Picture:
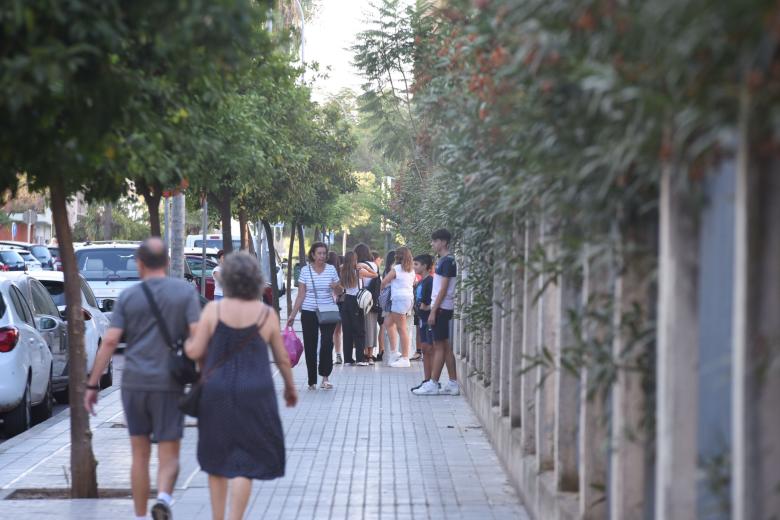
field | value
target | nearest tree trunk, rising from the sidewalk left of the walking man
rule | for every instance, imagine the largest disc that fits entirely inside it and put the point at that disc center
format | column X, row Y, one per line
column 83, row 466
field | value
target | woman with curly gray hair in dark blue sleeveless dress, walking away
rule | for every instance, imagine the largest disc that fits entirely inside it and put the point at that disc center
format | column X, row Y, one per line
column 240, row 435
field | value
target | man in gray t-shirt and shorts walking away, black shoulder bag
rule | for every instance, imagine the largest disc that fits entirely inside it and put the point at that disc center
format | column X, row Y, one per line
column 149, row 394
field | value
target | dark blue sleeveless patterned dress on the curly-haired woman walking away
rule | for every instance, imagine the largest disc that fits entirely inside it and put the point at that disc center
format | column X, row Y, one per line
column 239, row 429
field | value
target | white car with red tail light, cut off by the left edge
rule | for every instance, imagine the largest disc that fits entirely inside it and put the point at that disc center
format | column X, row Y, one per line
column 26, row 382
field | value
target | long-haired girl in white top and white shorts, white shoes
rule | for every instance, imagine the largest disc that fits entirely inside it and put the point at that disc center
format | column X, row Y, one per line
column 401, row 282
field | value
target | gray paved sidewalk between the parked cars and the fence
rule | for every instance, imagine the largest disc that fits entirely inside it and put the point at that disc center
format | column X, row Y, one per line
column 367, row 449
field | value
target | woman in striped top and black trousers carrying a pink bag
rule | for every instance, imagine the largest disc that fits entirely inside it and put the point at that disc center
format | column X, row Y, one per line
column 322, row 277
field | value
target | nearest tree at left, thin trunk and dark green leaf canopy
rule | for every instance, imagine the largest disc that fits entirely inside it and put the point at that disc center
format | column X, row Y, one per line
column 71, row 81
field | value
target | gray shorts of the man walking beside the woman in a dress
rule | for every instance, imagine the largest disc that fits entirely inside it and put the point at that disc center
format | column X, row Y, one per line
column 154, row 413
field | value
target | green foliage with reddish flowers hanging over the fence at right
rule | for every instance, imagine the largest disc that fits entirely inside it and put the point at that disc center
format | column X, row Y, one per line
column 565, row 113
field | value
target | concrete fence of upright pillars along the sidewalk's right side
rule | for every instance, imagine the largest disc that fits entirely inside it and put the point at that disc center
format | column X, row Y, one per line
column 695, row 433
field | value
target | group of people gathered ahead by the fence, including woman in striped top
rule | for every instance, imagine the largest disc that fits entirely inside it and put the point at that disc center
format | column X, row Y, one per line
column 420, row 288
